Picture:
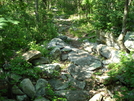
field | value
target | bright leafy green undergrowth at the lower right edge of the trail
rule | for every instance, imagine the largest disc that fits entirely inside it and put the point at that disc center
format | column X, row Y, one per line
column 123, row 72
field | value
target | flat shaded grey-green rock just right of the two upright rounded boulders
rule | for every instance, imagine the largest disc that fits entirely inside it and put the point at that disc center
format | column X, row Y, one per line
column 59, row 84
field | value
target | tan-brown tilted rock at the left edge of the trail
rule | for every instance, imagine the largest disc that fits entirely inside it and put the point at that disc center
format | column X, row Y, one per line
column 31, row 55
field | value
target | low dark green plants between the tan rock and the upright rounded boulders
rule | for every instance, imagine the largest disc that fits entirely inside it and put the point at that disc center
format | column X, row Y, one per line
column 21, row 67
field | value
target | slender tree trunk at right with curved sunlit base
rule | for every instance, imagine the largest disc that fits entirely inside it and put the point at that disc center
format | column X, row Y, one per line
column 120, row 39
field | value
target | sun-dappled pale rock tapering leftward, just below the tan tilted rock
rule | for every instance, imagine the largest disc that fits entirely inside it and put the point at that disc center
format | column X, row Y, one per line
column 50, row 68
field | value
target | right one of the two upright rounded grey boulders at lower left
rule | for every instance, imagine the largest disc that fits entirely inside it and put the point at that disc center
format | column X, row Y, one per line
column 41, row 87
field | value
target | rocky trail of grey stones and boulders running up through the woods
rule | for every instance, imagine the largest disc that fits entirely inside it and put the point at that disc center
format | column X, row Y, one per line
column 77, row 65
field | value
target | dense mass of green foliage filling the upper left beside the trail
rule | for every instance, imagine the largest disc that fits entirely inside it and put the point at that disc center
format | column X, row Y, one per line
column 19, row 27
